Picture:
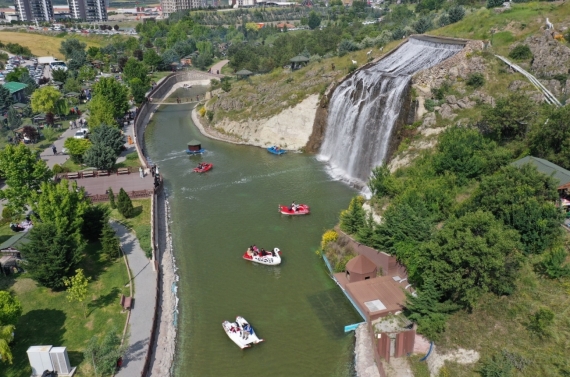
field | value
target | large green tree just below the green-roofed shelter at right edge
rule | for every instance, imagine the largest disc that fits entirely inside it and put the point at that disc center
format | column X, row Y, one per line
column 524, row 199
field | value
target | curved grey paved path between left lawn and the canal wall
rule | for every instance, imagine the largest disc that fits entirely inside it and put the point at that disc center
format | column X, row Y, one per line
column 143, row 303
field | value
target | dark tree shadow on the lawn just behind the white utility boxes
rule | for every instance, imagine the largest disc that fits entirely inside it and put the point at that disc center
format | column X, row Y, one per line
column 36, row 327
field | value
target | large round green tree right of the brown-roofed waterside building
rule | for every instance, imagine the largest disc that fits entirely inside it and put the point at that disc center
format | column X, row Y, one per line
column 470, row 256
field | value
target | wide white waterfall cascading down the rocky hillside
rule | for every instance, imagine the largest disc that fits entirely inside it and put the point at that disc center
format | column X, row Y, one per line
column 365, row 109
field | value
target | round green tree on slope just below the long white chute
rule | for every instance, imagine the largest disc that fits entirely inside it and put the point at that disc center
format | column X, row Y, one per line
column 512, row 116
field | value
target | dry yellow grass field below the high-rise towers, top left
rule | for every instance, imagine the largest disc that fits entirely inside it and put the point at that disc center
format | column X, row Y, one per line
column 41, row 45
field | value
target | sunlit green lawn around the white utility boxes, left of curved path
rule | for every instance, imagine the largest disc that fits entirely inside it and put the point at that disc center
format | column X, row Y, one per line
column 48, row 318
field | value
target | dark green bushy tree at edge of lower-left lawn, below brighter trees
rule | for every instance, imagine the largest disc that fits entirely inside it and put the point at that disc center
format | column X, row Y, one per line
column 50, row 255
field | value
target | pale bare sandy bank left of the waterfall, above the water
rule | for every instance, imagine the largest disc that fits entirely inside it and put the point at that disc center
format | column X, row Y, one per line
column 289, row 129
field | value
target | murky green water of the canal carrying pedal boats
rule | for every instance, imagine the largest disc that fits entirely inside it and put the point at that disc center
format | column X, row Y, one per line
column 295, row 307
